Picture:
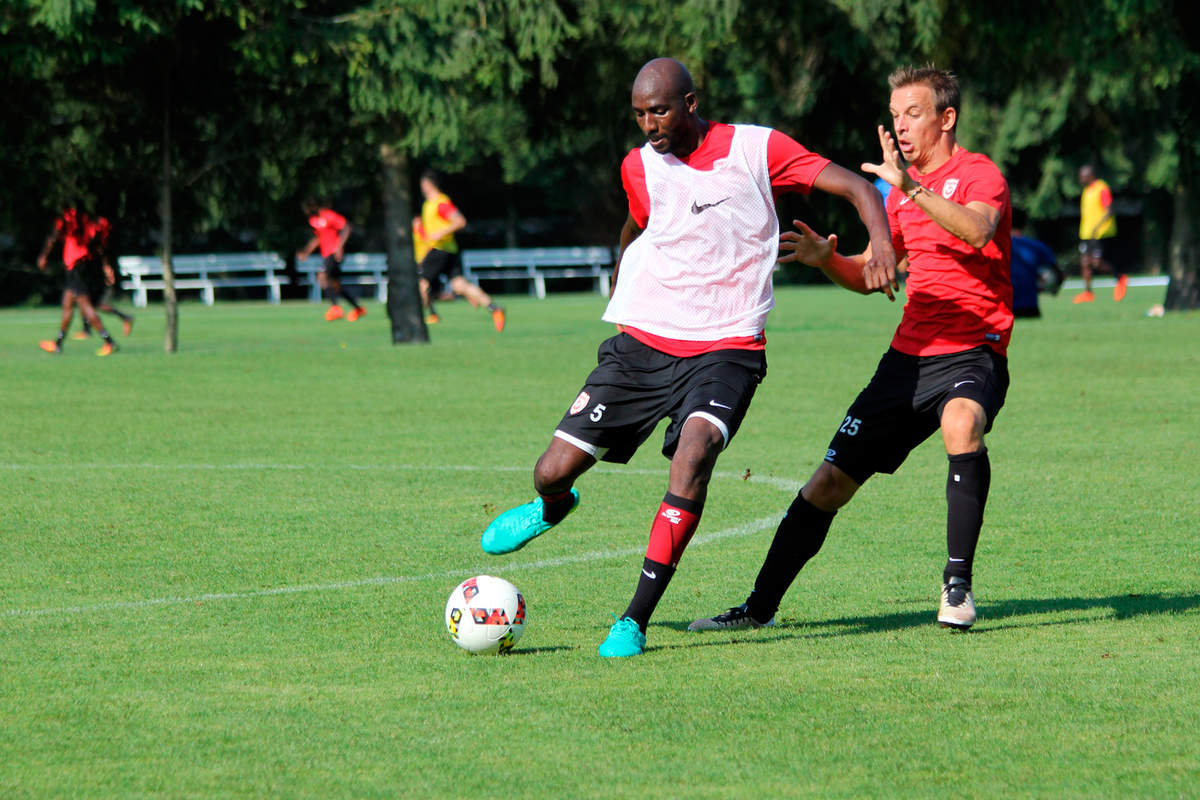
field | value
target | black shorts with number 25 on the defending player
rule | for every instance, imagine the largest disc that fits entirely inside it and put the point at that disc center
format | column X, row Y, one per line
column 903, row 406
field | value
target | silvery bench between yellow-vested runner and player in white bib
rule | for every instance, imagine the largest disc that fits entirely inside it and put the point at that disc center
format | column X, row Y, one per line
column 538, row 264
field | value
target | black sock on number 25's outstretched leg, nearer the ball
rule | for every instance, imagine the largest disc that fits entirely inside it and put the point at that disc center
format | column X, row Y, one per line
column 799, row 538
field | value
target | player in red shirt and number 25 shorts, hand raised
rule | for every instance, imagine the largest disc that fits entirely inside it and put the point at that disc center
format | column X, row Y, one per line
column 947, row 368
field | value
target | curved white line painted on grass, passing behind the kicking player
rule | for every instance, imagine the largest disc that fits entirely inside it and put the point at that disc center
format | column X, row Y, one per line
column 745, row 530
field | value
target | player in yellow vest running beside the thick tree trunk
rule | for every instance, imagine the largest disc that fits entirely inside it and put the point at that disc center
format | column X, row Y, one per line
column 440, row 221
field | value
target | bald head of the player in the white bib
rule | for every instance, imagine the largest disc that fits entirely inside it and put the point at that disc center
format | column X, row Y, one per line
column 665, row 107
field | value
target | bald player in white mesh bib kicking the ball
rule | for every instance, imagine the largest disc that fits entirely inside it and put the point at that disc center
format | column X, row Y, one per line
column 692, row 297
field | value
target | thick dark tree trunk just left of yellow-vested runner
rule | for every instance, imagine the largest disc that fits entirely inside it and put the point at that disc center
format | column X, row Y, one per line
column 404, row 294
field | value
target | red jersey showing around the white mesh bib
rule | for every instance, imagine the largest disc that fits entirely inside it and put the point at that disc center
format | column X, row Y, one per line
column 791, row 169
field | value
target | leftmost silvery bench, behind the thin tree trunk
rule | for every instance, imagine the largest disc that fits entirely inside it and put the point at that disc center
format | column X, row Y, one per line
column 207, row 273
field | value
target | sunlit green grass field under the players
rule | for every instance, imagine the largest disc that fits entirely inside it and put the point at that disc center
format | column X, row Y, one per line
column 223, row 573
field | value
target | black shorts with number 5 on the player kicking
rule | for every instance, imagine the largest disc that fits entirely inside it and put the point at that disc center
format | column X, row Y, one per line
column 635, row 387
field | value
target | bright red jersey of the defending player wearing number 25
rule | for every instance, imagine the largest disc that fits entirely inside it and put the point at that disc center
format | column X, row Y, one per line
column 959, row 297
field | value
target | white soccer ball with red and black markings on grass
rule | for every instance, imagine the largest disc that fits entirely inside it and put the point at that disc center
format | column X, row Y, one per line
column 485, row 615
